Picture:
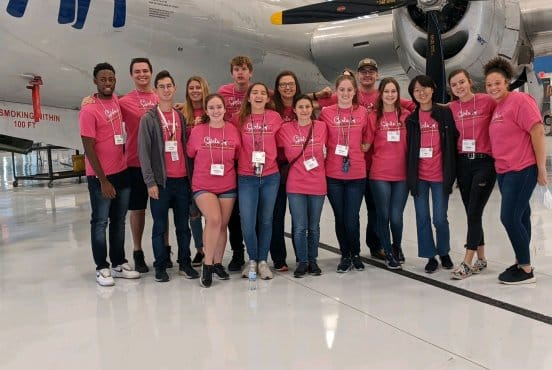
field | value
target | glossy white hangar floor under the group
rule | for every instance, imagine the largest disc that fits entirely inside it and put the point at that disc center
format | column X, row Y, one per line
column 54, row 316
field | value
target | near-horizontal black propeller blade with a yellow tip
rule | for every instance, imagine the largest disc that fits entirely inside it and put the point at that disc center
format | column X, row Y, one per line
column 335, row 11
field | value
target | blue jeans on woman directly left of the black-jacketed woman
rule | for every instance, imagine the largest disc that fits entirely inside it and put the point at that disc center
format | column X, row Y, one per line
column 390, row 198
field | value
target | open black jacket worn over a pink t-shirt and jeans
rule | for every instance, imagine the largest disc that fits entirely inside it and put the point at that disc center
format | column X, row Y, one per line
column 448, row 135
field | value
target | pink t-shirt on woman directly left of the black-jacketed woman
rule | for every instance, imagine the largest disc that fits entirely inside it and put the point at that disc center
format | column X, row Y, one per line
column 389, row 158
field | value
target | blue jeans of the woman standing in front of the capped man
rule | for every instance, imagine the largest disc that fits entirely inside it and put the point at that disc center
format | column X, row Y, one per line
column 345, row 197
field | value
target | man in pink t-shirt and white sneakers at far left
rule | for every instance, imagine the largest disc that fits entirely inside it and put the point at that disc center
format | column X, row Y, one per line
column 103, row 137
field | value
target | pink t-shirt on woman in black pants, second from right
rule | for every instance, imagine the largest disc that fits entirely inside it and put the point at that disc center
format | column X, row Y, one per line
column 472, row 120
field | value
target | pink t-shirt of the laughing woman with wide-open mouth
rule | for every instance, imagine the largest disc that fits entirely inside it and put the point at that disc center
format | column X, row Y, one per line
column 259, row 136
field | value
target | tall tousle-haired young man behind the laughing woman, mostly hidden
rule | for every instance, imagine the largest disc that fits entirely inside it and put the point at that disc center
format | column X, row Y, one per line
column 233, row 93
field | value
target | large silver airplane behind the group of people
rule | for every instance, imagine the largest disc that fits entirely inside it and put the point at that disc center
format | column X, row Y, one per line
column 57, row 43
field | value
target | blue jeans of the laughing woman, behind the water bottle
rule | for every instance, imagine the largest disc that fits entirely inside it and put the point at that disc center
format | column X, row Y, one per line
column 257, row 197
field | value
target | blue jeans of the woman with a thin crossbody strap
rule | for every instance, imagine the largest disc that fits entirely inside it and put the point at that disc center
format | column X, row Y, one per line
column 305, row 214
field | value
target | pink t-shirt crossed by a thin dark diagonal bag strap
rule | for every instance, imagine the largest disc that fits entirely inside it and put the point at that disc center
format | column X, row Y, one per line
column 291, row 138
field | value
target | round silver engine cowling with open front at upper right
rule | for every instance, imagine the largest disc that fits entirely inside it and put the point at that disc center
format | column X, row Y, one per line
column 470, row 38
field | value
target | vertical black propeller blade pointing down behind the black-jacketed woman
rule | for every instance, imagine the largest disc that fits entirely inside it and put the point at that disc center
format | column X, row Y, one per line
column 435, row 62
